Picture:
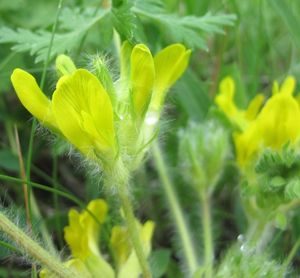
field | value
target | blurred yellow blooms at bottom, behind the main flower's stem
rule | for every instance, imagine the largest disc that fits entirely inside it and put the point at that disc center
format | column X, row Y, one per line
column 82, row 236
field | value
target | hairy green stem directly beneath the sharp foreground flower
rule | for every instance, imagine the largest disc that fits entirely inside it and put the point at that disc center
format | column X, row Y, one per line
column 122, row 184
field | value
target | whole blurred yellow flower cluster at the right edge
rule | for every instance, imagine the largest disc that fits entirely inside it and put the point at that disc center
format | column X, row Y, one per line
column 272, row 126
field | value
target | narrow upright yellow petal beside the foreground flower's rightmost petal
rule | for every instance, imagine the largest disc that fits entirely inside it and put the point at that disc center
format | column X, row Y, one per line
column 142, row 78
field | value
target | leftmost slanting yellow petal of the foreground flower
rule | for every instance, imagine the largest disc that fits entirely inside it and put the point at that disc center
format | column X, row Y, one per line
column 32, row 97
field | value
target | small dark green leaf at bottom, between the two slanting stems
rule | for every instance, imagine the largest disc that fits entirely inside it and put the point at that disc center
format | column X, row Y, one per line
column 159, row 261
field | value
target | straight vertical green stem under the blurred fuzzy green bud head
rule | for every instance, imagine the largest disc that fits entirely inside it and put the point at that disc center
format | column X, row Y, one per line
column 207, row 233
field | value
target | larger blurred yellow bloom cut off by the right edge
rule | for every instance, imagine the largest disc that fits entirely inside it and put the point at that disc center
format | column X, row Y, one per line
column 277, row 124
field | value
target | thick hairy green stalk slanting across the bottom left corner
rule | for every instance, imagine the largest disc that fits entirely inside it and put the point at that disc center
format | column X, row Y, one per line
column 34, row 249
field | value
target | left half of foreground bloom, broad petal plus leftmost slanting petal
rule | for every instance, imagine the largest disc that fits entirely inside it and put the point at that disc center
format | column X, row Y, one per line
column 80, row 109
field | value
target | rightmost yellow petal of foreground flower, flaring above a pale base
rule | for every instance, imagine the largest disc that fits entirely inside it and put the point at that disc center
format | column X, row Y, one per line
column 170, row 63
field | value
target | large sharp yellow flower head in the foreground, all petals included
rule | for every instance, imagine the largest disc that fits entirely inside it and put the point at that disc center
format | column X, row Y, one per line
column 99, row 126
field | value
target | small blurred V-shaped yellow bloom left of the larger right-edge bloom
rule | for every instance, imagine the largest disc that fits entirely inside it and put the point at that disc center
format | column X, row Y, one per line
column 225, row 101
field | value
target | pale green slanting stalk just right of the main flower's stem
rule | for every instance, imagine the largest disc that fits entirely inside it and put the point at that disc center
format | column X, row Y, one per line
column 185, row 237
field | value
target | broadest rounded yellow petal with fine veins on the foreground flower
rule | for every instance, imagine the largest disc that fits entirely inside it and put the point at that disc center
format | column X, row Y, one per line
column 81, row 107
